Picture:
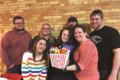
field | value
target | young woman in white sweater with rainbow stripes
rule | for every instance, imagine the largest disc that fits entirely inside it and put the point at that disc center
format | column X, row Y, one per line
column 35, row 62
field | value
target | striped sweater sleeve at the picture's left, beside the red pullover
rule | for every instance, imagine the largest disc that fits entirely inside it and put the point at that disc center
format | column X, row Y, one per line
column 25, row 67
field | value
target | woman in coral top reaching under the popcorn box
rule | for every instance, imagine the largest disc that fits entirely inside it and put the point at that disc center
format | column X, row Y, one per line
column 85, row 56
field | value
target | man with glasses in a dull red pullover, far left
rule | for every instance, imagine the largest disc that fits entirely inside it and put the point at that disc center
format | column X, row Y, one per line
column 13, row 44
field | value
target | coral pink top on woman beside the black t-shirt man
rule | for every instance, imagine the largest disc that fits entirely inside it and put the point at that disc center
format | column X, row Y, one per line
column 87, row 58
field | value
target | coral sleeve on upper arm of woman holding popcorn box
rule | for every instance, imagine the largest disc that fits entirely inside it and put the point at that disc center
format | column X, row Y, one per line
column 86, row 53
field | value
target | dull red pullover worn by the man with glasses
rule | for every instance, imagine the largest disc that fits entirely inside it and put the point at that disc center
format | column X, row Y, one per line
column 13, row 45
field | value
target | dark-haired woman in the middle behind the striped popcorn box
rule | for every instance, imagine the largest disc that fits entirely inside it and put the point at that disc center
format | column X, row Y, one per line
column 63, row 41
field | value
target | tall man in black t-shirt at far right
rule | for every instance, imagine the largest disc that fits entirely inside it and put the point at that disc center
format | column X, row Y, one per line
column 107, row 41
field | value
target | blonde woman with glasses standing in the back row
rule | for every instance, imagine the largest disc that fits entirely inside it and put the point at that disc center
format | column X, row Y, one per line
column 44, row 33
